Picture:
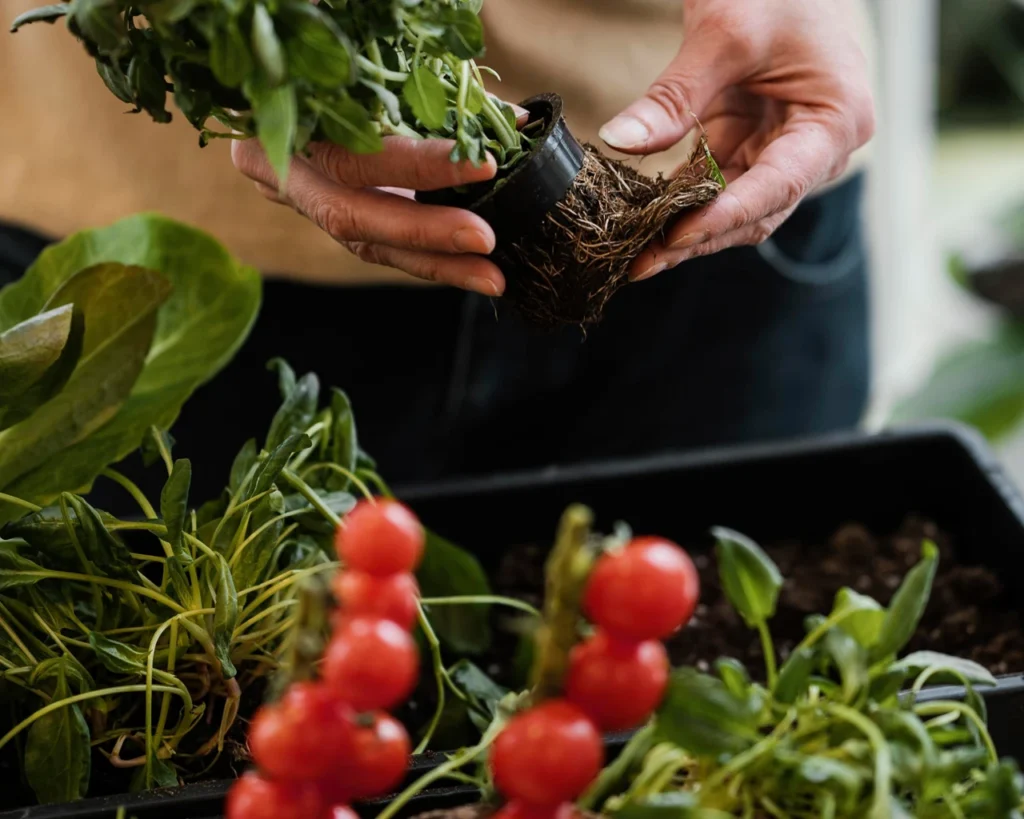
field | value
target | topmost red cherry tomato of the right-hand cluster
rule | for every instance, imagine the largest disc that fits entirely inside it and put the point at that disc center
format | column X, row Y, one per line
column 646, row 592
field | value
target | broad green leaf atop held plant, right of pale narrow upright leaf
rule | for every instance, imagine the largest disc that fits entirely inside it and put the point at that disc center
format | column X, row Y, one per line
column 318, row 51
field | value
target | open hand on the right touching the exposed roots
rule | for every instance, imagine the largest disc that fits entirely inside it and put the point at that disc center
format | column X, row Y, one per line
column 782, row 89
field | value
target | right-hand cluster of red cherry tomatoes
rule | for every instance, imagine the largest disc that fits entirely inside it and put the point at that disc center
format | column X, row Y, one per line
column 546, row 757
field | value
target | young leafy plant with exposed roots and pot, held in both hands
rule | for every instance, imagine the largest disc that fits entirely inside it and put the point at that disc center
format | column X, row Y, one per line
column 353, row 72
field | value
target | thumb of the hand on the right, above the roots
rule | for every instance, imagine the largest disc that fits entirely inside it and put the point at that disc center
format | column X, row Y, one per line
column 685, row 91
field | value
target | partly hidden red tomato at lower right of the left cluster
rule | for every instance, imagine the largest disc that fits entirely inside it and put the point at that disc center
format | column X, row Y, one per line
column 377, row 764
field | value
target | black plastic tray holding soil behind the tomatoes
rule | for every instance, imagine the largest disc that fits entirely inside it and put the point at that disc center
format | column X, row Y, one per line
column 801, row 490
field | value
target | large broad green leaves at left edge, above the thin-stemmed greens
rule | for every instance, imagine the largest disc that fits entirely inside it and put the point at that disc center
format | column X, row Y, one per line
column 106, row 336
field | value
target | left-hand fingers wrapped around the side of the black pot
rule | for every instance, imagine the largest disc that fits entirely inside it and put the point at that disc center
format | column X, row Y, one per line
column 366, row 204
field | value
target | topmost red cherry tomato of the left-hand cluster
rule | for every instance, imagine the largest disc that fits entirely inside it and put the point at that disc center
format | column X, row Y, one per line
column 380, row 538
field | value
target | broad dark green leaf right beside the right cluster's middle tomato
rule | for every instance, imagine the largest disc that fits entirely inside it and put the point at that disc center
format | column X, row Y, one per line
column 703, row 717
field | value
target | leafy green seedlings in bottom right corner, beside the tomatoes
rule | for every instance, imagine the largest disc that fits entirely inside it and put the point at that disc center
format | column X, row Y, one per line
column 831, row 739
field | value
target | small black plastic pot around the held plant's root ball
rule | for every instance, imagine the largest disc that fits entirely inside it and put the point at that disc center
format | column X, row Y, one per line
column 518, row 204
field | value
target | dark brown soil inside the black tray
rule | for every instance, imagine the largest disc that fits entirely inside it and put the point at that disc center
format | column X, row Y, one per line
column 969, row 615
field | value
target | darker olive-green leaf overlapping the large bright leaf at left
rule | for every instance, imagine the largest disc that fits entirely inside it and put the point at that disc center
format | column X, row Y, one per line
column 120, row 307
